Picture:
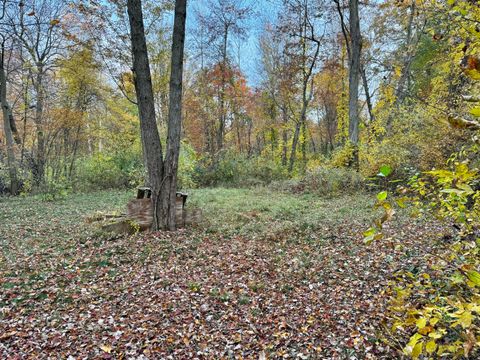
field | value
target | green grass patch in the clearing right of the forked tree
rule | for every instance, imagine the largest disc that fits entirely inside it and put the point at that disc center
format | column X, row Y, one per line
column 259, row 211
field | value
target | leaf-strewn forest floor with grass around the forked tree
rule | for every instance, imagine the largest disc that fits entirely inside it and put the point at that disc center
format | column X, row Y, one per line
column 266, row 275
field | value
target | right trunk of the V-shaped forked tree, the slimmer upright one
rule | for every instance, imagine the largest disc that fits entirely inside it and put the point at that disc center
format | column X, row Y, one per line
column 174, row 115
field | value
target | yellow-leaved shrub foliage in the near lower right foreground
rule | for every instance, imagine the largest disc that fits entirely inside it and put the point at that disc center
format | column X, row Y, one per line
column 439, row 310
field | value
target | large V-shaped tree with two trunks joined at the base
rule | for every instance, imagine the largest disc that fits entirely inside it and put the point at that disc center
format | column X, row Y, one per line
column 162, row 175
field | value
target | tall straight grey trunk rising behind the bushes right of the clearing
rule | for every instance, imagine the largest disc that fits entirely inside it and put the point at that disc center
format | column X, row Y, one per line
column 354, row 75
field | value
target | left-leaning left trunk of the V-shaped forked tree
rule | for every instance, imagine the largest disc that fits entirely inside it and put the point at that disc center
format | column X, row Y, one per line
column 152, row 147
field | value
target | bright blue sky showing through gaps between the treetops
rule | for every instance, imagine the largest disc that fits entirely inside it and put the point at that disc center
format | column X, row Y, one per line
column 245, row 52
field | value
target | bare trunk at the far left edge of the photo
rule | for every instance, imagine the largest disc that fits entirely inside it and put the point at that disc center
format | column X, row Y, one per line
column 12, row 168
